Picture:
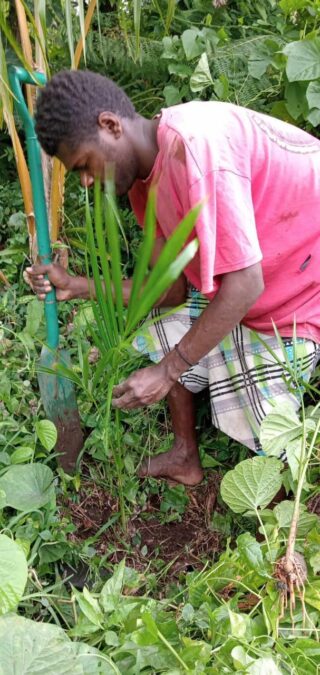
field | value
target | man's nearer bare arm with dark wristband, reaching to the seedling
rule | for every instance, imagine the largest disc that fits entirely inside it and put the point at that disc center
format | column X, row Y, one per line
column 238, row 292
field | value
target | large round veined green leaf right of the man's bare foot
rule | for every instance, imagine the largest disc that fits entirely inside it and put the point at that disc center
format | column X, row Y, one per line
column 252, row 484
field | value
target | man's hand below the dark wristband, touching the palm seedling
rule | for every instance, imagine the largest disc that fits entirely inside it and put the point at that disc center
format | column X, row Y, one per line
column 143, row 387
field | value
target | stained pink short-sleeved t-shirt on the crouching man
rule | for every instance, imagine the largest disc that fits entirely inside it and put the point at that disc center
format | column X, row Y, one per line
column 259, row 180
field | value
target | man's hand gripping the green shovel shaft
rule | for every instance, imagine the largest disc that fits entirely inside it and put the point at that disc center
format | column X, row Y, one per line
column 57, row 276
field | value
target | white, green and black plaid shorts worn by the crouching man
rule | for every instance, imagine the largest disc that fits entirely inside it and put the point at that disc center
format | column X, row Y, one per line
column 244, row 379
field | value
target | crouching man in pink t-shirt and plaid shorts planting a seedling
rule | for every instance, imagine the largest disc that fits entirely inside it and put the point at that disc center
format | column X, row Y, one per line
column 259, row 256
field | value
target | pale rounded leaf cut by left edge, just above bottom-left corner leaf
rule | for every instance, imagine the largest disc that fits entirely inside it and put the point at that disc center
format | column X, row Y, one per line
column 13, row 574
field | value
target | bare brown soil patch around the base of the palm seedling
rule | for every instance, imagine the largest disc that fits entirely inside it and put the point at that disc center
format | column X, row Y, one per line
column 181, row 545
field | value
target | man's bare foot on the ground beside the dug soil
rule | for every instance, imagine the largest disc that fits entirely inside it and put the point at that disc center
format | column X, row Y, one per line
column 179, row 464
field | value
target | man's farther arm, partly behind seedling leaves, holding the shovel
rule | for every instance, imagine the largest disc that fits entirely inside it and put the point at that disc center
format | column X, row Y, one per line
column 70, row 288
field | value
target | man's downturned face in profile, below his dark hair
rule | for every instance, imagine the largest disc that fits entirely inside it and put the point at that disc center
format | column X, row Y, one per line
column 99, row 156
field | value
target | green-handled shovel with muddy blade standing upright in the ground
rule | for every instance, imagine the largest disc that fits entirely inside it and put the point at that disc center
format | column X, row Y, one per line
column 57, row 392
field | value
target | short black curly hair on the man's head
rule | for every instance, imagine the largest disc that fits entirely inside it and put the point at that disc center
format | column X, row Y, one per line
column 68, row 107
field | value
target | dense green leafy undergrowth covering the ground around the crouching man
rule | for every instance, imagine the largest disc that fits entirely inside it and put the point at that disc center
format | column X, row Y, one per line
column 199, row 579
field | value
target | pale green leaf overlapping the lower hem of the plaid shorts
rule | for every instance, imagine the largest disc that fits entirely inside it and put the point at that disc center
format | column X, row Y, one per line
column 279, row 427
